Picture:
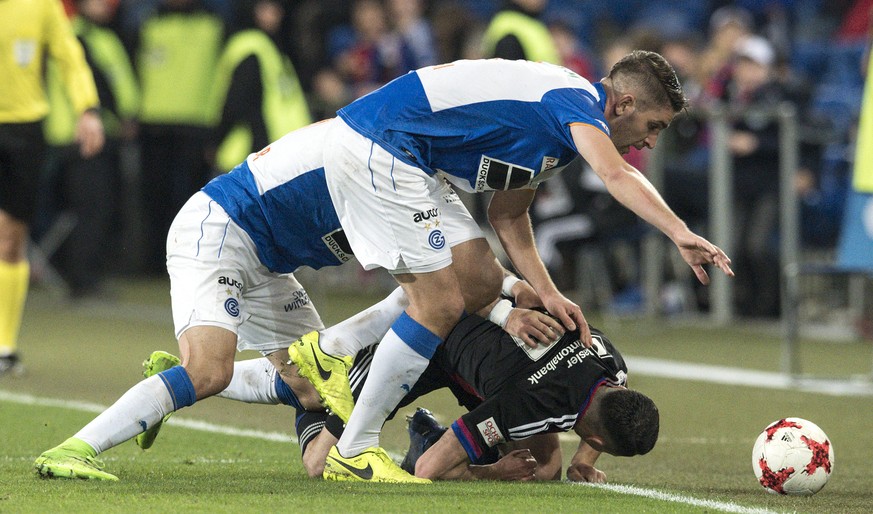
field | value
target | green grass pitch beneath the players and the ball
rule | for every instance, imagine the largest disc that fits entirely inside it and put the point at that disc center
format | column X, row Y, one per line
column 90, row 354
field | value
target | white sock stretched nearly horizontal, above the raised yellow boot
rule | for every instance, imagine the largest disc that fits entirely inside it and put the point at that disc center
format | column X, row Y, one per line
column 365, row 328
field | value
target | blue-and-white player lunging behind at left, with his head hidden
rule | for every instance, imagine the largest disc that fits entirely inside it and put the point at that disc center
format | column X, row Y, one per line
column 231, row 252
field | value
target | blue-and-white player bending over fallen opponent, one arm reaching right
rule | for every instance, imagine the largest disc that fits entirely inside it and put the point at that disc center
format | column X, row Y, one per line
column 490, row 125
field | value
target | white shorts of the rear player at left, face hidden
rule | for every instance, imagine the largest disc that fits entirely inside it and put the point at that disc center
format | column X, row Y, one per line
column 217, row 280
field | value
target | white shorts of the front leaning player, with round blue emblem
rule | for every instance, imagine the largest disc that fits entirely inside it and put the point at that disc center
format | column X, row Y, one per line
column 395, row 215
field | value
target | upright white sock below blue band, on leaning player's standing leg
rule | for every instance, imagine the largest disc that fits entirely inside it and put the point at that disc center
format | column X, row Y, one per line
column 395, row 369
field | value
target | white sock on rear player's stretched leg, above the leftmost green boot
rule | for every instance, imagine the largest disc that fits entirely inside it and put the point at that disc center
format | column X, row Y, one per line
column 140, row 407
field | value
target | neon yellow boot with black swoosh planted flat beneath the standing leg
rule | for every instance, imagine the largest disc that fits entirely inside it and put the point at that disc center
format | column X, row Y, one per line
column 371, row 465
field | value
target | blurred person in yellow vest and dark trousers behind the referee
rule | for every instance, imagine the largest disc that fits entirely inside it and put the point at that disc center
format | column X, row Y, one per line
column 87, row 187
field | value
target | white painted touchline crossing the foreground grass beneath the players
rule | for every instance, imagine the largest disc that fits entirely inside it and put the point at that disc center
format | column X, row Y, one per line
column 203, row 426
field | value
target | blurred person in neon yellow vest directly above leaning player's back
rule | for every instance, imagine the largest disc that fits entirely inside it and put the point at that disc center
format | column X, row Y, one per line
column 516, row 32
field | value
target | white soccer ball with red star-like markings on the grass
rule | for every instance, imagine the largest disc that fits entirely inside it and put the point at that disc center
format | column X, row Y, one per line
column 793, row 456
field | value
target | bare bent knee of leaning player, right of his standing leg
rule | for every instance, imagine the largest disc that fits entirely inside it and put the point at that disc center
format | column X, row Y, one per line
column 479, row 274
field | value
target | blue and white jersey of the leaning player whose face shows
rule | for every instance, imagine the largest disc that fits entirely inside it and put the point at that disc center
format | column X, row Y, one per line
column 487, row 124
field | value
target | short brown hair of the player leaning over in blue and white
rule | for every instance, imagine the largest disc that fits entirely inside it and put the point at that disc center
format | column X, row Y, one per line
column 651, row 75
